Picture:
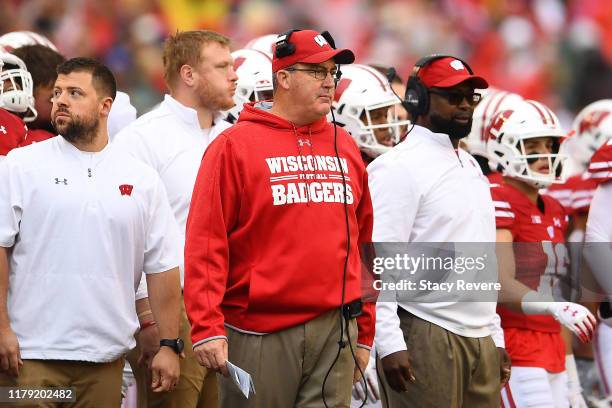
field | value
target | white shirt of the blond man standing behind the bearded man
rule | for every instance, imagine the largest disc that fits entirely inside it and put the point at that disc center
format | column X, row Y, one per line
column 170, row 140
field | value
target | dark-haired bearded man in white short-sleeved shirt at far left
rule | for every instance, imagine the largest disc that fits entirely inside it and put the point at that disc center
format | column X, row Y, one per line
column 79, row 223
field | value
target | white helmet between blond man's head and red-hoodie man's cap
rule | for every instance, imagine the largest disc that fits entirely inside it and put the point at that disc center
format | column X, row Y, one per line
column 254, row 71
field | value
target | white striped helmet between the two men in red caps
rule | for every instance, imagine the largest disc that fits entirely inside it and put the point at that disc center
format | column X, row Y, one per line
column 361, row 90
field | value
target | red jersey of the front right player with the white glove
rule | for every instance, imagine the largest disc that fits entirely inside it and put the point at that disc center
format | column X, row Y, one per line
column 541, row 259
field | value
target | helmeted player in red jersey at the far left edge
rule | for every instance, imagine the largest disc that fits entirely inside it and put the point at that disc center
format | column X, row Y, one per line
column 15, row 100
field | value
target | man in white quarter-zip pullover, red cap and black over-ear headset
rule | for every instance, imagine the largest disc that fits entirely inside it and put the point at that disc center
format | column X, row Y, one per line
column 427, row 190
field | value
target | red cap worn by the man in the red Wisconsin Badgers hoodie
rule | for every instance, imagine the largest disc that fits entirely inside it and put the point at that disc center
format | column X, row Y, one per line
column 312, row 48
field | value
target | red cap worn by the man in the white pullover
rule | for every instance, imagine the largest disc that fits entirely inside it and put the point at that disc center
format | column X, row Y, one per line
column 448, row 72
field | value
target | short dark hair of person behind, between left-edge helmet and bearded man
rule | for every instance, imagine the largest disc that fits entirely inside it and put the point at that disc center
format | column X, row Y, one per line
column 41, row 62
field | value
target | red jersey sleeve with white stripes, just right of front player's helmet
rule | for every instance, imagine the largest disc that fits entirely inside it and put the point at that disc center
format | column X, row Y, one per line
column 575, row 194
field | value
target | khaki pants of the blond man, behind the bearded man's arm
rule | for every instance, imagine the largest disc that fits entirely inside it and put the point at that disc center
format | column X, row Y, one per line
column 197, row 387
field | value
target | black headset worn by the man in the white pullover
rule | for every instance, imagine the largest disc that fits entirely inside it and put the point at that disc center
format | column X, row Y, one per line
column 416, row 98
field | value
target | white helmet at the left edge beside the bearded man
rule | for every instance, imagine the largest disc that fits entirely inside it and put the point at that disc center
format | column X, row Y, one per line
column 16, row 87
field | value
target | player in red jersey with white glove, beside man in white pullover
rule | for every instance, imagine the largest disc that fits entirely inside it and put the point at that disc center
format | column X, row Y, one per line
column 524, row 145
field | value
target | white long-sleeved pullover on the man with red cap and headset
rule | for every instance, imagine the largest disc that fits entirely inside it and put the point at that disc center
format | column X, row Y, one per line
column 425, row 191
